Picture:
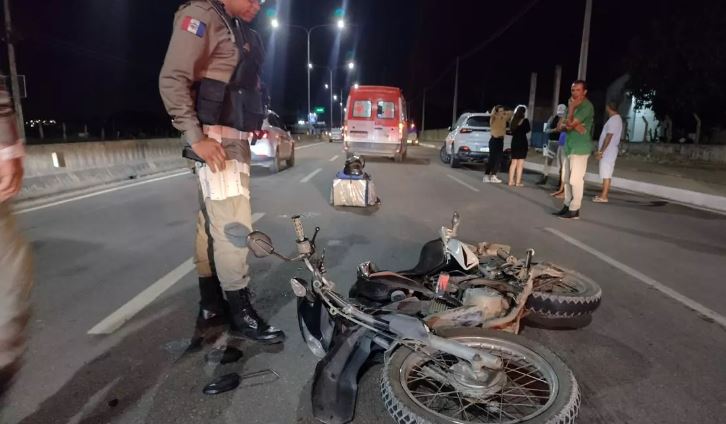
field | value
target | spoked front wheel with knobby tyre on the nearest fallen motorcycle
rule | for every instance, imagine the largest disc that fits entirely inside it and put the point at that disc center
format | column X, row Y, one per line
column 536, row 388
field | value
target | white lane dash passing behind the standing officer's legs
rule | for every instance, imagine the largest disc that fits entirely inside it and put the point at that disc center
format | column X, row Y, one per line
column 123, row 314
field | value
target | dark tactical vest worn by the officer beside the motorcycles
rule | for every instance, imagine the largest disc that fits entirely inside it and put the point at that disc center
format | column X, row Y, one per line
column 240, row 103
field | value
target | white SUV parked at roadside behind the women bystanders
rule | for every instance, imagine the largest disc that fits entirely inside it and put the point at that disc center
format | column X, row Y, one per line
column 468, row 141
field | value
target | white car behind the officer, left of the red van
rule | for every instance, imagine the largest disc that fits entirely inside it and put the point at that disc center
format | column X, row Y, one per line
column 274, row 146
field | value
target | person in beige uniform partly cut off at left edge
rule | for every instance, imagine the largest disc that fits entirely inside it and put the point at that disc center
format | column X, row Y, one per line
column 15, row 276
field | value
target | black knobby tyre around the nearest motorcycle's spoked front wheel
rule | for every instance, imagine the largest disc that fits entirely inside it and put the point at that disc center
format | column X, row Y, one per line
column 402, row 414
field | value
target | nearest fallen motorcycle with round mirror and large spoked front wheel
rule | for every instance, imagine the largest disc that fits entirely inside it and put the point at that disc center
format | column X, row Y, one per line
column 454, row 375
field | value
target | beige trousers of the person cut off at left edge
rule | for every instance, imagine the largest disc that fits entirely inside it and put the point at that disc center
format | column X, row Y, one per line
column 15, row 284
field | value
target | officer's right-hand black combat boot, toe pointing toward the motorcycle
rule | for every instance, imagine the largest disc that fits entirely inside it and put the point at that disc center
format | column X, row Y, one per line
column 246, row 323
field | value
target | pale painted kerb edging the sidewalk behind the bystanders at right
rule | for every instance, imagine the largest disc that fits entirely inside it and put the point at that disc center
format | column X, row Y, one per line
column 691, row 198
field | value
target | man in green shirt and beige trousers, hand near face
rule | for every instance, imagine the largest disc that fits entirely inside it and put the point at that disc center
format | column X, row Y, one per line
column 578, row 147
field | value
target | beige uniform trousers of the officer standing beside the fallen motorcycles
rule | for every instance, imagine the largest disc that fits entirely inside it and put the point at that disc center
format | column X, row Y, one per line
column 223, row 225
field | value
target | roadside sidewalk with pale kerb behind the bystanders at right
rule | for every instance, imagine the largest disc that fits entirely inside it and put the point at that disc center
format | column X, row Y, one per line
column 702, row 185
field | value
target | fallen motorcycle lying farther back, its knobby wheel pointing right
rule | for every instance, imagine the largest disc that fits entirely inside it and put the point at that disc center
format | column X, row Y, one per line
column 460, row 284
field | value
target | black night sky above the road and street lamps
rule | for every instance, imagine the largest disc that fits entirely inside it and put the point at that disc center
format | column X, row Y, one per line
column 88, row 59
